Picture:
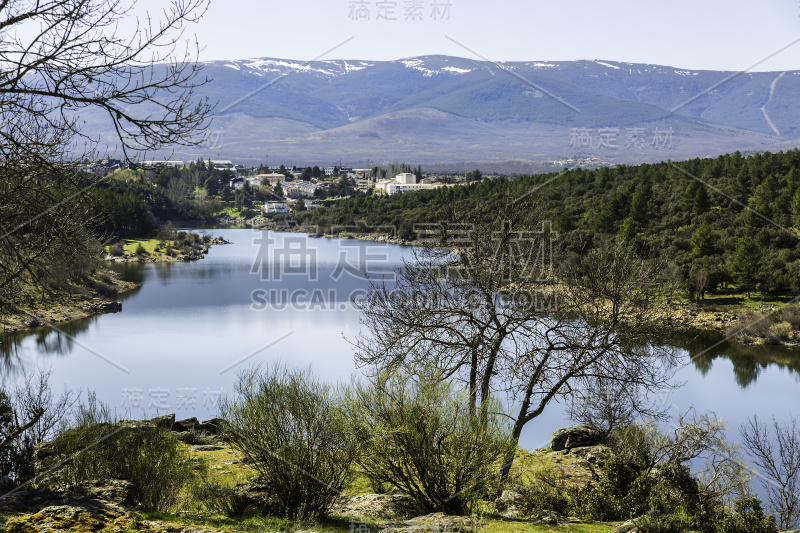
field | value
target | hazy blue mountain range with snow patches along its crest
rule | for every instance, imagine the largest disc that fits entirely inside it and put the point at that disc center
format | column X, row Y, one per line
column 452, row 112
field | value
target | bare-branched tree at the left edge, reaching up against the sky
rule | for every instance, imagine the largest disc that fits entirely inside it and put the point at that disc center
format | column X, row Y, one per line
column 60, row 59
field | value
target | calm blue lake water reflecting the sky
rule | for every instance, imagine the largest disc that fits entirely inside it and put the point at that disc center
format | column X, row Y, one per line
column 180, row 338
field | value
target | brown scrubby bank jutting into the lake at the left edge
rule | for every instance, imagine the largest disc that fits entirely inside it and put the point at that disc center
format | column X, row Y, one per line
column 95, row 297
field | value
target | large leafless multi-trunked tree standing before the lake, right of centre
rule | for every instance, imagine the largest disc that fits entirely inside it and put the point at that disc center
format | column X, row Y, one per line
column 484, row 302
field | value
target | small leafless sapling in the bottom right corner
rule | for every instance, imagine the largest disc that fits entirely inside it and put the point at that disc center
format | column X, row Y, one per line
column 775, row 449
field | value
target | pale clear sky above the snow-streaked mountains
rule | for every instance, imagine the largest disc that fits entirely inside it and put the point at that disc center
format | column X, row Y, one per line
column 698, row 34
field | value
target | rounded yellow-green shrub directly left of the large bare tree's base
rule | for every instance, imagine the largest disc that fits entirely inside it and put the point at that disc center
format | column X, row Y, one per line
column 419, row 435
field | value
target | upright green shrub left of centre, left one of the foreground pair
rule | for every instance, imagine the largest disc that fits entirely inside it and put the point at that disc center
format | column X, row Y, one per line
column 291, row 427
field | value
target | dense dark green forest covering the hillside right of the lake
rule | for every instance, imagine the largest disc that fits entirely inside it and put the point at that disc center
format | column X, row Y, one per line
column 725, row 223
